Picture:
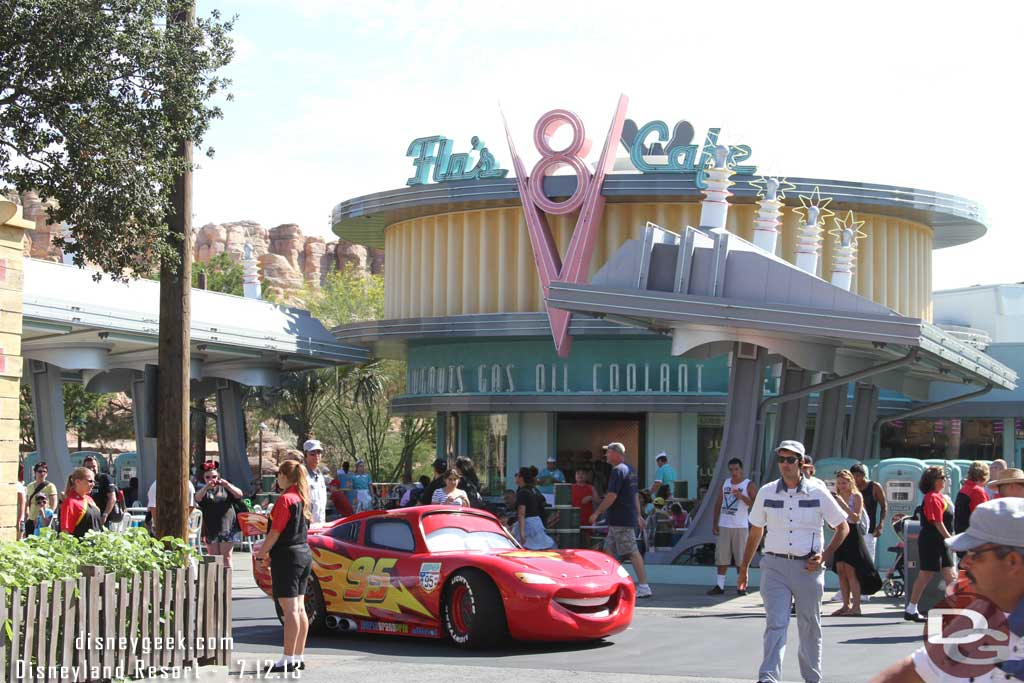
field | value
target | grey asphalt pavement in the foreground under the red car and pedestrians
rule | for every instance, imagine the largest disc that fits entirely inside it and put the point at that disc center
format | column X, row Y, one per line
column 680, row 634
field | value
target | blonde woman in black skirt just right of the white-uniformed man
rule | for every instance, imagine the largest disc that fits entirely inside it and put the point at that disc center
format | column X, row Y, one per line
column 852, row 563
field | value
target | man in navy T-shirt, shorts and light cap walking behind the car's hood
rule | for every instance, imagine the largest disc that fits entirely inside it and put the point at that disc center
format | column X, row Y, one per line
column 623, row 506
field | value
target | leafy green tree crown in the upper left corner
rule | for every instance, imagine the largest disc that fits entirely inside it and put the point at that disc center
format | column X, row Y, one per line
column 86, row 91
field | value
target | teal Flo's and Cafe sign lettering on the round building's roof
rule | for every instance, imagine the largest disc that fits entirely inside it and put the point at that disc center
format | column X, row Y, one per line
column 652, row 151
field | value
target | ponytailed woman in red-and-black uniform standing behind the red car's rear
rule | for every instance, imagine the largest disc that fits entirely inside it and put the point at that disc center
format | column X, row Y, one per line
column 286, row 551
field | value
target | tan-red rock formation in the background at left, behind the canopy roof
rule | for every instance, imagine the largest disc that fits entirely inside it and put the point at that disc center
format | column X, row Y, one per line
column 288, row 260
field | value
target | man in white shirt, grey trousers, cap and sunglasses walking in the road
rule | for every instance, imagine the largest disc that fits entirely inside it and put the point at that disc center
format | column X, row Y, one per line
column 793, row 565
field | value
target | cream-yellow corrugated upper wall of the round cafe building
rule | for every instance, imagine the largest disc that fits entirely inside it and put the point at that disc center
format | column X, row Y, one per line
column 482, row 262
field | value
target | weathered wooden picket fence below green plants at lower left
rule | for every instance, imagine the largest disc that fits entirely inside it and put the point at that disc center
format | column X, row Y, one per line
column 102, row 627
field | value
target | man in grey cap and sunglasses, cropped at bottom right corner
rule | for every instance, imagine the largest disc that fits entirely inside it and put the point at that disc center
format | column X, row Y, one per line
column 994, row 563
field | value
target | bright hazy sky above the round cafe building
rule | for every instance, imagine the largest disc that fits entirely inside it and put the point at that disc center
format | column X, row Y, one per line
column 329, row 94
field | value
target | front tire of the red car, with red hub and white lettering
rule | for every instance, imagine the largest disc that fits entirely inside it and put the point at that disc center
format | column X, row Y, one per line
column 473, row 612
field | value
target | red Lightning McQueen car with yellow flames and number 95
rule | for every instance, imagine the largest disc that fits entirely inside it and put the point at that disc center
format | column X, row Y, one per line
column 436, row 572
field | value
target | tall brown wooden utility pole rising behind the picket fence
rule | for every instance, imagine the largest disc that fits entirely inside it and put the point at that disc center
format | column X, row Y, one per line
column 174, row 355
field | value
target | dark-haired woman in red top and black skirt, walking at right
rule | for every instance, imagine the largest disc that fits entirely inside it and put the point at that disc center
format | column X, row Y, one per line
column 933, row 553
